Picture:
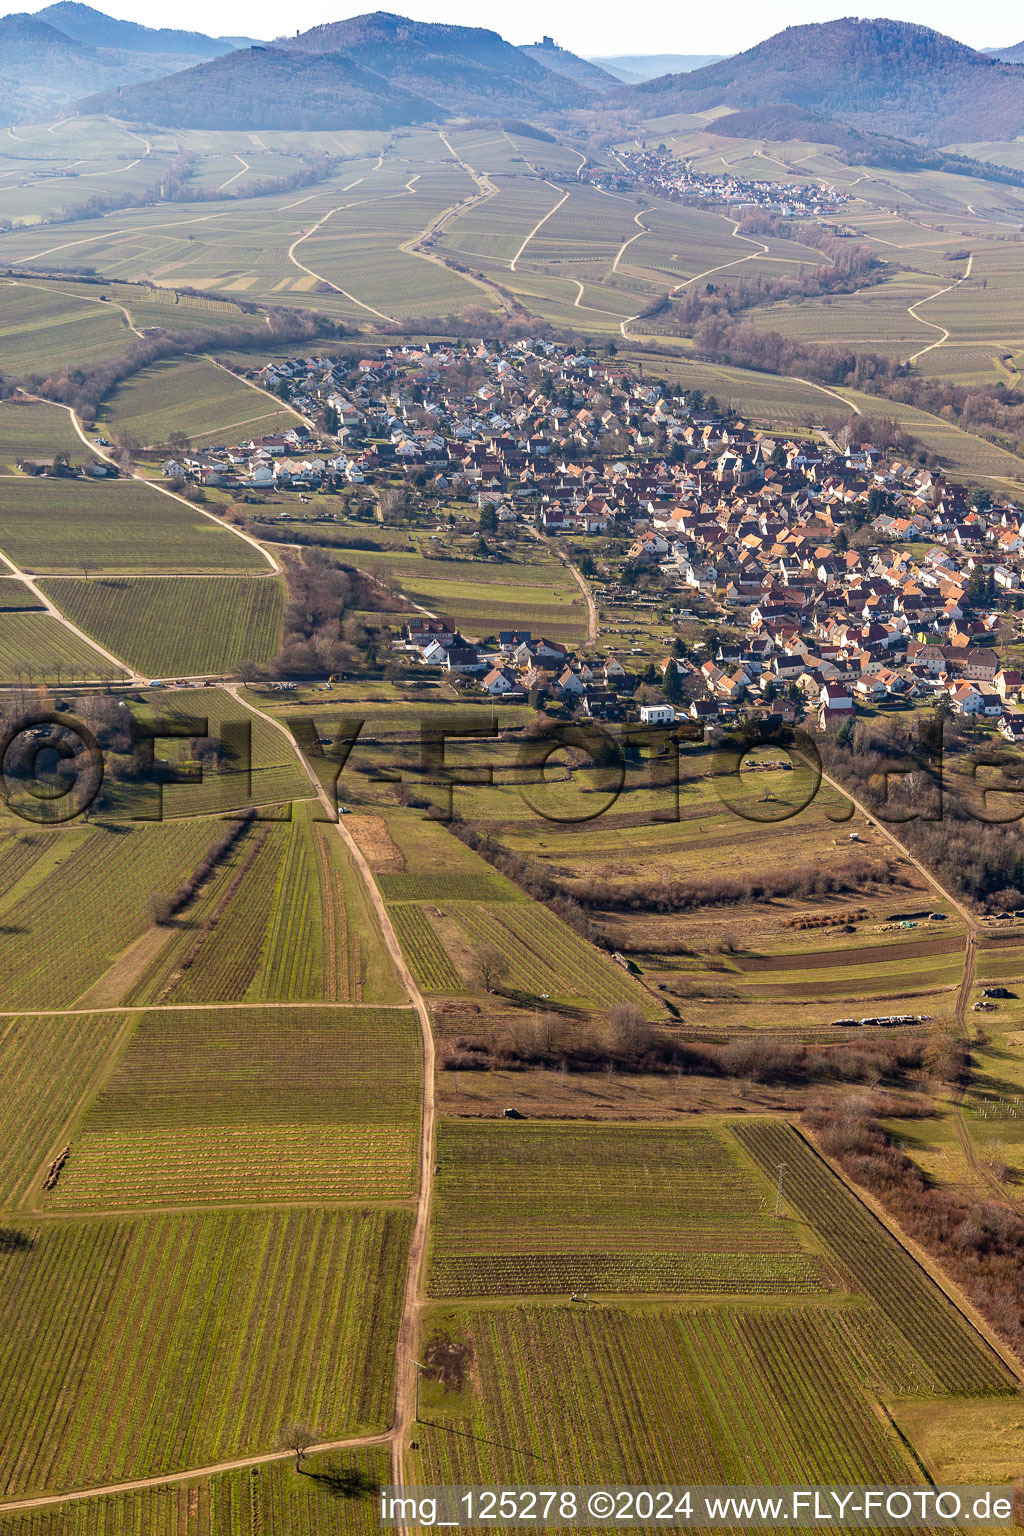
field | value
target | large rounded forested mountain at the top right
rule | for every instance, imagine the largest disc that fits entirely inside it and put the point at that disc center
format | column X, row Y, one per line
column 887, row 78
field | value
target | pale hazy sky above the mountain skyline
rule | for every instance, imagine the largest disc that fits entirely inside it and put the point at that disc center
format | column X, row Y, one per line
column 644, row 27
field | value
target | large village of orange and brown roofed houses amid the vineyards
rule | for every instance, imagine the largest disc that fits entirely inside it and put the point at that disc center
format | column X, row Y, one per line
column 830, row 578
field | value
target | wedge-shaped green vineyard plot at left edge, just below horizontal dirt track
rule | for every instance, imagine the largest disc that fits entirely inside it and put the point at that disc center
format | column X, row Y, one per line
column 45, row 1067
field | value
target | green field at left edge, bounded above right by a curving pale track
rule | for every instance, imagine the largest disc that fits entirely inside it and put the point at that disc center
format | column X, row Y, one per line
column 55, row 526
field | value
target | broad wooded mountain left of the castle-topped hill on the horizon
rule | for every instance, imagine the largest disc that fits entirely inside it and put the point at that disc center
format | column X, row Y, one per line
column 369, row 71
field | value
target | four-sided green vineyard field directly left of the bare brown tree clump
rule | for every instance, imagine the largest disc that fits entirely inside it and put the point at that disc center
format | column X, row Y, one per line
column 162, row 626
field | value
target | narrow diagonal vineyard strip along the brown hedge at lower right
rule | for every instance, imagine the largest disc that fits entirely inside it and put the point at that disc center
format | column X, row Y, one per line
column 948, row 1346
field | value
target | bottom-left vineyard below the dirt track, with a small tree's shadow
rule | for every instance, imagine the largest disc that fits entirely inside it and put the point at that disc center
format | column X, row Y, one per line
column 334, row 1494
